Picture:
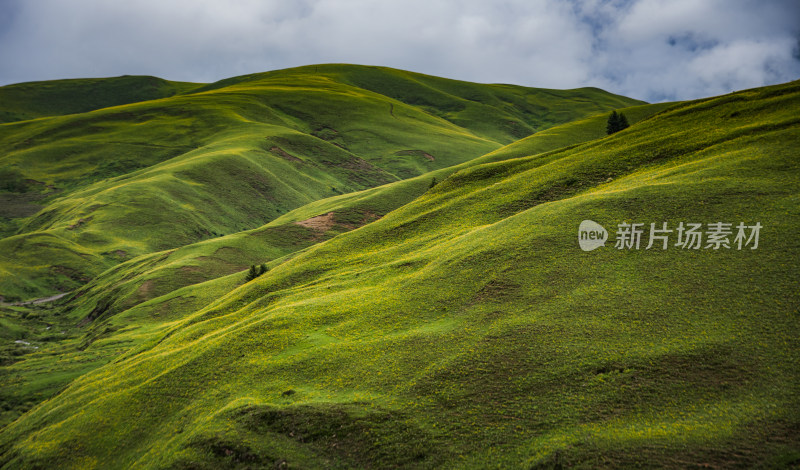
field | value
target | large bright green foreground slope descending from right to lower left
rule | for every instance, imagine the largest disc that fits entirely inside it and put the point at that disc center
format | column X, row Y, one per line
column 467, row 329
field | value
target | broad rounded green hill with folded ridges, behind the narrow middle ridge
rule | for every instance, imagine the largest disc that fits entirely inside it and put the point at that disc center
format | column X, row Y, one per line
column 129, row 180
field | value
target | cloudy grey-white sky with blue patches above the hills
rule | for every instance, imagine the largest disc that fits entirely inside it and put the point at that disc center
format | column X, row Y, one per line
column 654, row 50
